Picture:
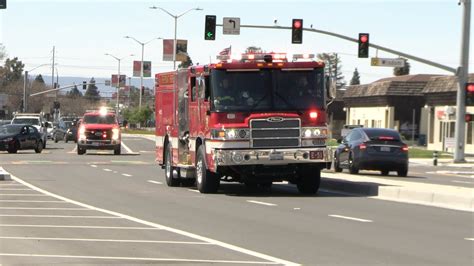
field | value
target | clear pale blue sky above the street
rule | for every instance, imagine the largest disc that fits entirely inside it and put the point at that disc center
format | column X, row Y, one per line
column 82, row 31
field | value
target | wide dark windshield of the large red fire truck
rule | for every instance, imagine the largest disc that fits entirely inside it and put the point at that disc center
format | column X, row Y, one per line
column 267, row 90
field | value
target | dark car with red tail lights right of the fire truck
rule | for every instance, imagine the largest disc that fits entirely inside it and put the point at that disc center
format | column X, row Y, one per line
column 372, row 149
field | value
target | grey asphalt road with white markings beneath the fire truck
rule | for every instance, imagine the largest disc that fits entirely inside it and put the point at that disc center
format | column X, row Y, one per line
column 118, row 209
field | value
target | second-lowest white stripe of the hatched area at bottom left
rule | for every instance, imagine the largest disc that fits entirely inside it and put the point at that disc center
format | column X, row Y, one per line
column 105, row 240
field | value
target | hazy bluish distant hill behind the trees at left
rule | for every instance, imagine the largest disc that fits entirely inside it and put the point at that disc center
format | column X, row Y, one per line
column 104, row 90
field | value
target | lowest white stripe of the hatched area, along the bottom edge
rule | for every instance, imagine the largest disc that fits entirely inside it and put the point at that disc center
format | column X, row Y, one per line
column 134, row 258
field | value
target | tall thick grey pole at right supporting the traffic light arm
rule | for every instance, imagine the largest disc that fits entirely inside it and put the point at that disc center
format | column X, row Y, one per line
column 462, row 74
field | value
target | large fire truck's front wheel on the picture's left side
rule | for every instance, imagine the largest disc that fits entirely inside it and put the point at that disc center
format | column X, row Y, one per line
column 206, row 181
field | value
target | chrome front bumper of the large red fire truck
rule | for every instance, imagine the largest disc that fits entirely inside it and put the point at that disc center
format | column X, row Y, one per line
column 271, row 156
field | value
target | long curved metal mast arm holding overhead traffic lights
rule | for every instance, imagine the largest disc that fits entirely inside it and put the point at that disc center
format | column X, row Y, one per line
column 340, row 36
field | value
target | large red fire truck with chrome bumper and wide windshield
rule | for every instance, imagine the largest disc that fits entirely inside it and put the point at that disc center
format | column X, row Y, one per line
column 256, row 119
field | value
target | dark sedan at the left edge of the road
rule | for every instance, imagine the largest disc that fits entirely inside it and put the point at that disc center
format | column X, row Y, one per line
column 20, row 137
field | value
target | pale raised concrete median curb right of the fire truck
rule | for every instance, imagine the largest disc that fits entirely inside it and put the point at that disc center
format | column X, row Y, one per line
column 449, row 197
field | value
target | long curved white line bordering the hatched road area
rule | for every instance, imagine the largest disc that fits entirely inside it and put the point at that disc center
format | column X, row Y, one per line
column 162, row 227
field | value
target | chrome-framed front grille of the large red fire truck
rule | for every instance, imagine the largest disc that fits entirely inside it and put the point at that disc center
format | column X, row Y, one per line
column 275, row 132
